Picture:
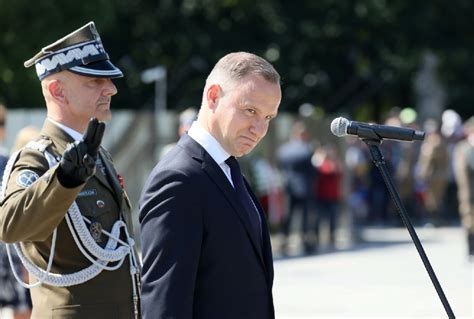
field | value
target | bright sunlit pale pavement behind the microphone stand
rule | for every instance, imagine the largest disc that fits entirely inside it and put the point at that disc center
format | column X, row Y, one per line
column 382, row 277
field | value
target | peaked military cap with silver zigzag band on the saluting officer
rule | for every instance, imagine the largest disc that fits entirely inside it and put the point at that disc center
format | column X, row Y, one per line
column 80, row 52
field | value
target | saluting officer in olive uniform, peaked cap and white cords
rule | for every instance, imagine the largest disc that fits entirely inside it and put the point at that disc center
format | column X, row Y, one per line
column 63, row 206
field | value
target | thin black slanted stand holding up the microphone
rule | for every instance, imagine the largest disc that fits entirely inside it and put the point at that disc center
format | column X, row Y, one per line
column 378, row 159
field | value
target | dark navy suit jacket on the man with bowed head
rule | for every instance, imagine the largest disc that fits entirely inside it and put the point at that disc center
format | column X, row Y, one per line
column 200, row 259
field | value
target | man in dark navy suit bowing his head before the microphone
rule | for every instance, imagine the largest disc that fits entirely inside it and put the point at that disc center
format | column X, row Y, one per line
column 205, row 242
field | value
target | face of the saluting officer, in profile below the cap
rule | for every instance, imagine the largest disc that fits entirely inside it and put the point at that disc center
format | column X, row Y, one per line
column 89, row 97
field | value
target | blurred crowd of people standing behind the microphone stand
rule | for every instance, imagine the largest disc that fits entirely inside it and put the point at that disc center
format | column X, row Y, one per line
column 311, row 184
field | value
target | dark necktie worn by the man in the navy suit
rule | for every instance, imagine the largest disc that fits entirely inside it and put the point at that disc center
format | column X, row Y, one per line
column 244, row 197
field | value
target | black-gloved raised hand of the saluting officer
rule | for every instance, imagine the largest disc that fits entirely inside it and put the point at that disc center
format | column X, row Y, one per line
column 78, row 162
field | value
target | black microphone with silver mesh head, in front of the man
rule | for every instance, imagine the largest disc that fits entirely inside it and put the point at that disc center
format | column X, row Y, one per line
column 341, row 127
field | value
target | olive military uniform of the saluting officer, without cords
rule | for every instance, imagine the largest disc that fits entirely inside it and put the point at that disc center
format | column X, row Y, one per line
column 30, row 215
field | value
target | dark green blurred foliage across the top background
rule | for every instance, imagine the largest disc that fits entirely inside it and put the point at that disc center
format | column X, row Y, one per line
column 340, row 55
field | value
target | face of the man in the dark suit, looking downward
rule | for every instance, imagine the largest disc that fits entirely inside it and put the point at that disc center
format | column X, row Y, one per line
column 241, row 115
